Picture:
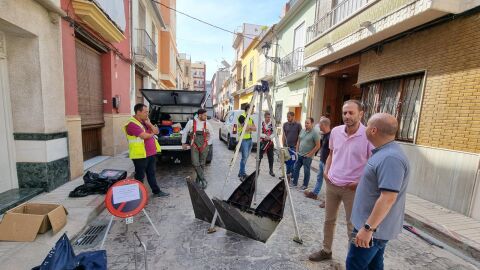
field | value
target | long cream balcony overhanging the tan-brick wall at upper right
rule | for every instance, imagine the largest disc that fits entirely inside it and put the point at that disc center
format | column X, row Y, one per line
column 355, row 25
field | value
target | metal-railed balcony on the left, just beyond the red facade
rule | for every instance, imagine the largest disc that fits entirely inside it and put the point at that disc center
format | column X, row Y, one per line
column 145, row 51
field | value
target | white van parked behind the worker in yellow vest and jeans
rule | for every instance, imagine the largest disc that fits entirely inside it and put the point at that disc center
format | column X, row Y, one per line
column 228, row 132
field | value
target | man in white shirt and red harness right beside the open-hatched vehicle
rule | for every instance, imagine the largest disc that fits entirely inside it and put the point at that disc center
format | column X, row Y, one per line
column 199, row 131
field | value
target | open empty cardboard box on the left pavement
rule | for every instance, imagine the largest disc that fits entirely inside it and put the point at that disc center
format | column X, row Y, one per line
column 25, row 221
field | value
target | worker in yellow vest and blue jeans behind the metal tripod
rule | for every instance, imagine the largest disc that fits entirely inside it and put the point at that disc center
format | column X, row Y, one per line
column 246, row 146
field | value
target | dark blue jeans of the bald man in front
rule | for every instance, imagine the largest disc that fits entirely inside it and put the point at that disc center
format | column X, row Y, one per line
column 366, row 258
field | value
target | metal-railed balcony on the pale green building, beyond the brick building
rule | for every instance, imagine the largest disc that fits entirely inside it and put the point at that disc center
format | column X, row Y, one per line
column 291, row 66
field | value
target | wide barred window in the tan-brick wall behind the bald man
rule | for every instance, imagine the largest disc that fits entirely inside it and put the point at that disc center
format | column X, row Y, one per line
column 399, row 97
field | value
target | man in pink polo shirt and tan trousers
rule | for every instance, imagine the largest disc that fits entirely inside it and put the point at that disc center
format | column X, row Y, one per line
column 349, row 152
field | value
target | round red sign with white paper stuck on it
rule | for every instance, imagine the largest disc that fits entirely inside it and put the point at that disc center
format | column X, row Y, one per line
column 126, row 198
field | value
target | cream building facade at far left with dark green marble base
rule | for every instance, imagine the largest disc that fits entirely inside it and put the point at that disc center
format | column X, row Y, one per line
column 33, row 134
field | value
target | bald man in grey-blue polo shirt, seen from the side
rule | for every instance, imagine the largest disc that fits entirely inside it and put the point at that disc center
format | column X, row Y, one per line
column 379, row 204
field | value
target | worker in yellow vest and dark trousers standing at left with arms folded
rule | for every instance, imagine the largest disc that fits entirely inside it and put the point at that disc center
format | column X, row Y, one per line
column 143, row 147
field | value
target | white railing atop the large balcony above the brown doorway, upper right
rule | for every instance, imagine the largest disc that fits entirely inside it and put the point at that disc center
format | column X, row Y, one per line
column 339, row 13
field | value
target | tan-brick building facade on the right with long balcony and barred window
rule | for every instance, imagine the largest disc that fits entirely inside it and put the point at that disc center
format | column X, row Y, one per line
column 417, row 60
